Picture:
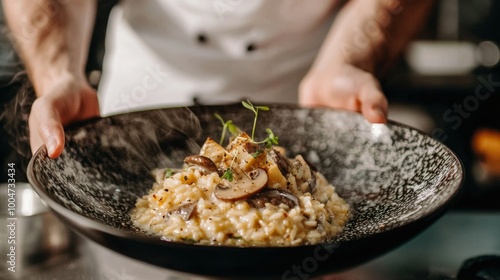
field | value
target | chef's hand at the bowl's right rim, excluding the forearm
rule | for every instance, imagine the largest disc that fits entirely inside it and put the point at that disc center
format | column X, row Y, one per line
column 345, row 87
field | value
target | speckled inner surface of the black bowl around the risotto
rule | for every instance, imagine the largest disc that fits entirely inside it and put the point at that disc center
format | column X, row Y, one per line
column 390, row 174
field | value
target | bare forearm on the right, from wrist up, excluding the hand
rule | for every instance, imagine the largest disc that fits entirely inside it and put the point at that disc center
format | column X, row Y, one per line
column 370, row 34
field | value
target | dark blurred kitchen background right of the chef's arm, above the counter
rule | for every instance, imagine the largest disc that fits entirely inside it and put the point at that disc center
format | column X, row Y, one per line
column 448, row 84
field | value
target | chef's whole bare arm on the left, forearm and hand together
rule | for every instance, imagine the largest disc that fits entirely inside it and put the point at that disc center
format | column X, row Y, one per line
column 55, row 55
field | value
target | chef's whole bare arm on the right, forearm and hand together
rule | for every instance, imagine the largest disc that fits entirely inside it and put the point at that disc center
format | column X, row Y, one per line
column 366, row 38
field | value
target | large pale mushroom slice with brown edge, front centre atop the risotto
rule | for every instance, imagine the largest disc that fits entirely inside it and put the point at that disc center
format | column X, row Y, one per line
column 242, row 186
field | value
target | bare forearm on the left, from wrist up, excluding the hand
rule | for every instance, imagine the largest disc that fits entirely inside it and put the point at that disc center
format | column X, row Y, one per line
column 51, row 36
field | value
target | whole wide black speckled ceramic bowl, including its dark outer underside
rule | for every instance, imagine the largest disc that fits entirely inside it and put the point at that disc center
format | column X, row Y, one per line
column 396, row 179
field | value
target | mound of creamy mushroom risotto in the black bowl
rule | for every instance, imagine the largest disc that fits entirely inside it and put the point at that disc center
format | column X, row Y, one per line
column 246, row 194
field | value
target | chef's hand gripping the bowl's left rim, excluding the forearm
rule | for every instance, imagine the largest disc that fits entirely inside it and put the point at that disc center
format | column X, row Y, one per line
column 65, row 101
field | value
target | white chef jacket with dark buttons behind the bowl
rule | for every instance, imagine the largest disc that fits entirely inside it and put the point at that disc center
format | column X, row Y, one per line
column 163, row 53
